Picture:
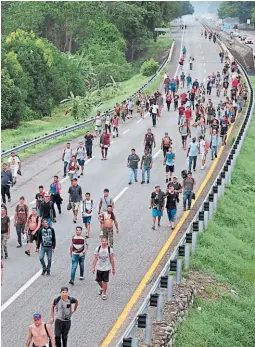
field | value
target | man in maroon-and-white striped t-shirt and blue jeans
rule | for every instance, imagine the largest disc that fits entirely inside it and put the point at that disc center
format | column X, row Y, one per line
column 78, row 249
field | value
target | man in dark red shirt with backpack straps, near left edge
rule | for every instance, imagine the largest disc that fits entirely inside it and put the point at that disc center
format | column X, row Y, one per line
column 20, row 218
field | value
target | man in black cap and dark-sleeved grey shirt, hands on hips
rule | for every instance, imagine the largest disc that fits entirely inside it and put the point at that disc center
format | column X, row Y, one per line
column 62, row 309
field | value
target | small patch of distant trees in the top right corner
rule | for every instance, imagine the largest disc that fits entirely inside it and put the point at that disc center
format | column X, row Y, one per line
column 237, row 9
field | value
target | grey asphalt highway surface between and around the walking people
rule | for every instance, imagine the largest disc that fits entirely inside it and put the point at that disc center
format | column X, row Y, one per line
column 24, row 291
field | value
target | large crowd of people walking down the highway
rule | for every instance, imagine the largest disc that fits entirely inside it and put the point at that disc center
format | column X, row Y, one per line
column 201, row 123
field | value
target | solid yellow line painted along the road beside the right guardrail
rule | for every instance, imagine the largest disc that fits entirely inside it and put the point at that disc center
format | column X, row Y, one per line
column 159, row 257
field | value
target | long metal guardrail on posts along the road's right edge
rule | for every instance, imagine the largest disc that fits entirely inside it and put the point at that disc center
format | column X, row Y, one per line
column 200, row 221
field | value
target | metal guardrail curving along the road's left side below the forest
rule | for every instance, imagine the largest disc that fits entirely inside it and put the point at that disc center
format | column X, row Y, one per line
column 66, row 130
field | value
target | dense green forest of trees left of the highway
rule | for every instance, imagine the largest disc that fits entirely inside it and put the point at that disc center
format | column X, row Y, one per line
column 51, row 50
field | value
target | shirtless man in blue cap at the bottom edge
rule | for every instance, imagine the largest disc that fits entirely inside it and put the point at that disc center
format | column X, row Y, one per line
column 40, row 333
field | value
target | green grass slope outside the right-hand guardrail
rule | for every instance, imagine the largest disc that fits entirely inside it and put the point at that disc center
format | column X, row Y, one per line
column 226, row 252
